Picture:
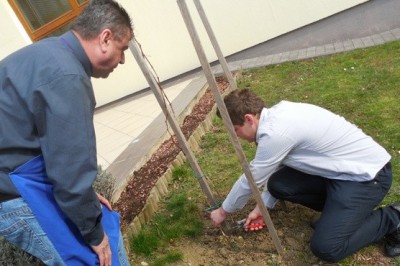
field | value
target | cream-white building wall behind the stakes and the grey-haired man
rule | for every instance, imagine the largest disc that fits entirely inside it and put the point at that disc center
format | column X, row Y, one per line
column 160, row 29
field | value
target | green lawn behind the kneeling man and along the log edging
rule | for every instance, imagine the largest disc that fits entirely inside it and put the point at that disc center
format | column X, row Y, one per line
column 362, row 85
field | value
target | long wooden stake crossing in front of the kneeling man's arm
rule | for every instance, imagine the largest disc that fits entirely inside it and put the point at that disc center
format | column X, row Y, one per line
column 225, row 117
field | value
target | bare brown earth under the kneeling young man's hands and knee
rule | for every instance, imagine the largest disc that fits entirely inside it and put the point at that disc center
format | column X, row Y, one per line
column 256, row 247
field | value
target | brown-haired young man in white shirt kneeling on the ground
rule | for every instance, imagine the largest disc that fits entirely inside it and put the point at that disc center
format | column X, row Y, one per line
column 310, row 156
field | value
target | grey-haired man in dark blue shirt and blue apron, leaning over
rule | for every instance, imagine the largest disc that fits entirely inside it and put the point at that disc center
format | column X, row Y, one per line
column 47, row 138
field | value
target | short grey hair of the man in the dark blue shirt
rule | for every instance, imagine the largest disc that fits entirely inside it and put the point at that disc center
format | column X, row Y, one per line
column 100, row 15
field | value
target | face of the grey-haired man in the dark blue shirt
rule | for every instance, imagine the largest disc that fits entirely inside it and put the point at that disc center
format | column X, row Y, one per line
column 112, row 54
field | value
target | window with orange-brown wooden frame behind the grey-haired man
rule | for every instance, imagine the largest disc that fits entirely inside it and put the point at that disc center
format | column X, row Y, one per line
column 42, row 18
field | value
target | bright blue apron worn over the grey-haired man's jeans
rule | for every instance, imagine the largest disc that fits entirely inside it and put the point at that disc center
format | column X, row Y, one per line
column 32, row 183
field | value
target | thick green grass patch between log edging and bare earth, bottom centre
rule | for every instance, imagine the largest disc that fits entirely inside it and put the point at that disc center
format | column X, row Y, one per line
column 180, row 217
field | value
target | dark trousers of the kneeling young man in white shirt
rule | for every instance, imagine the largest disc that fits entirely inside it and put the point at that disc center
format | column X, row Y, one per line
column 348, row 220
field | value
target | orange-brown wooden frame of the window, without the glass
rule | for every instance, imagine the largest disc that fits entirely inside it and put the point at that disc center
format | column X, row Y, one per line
column 53, row 25
